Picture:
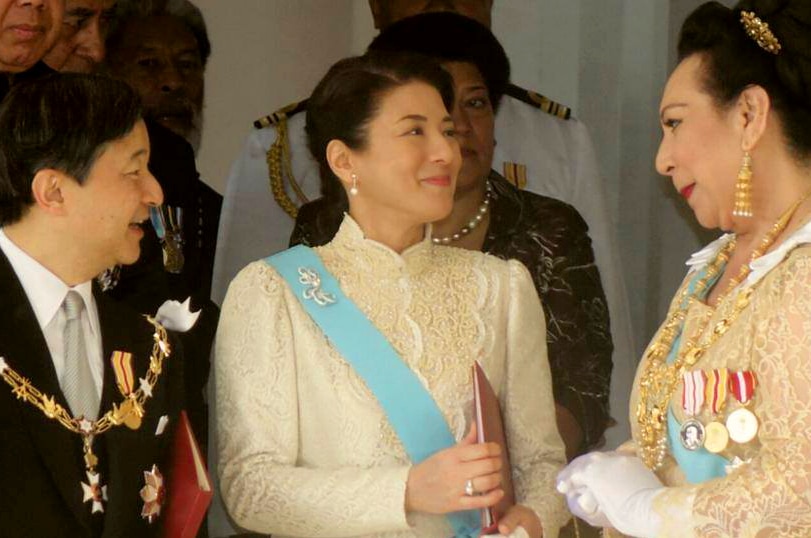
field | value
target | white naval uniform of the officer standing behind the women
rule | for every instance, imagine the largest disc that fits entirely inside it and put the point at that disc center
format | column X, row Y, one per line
column 560, row 162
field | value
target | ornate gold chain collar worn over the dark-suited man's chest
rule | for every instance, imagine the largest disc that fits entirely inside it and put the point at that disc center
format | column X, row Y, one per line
column 24, row 390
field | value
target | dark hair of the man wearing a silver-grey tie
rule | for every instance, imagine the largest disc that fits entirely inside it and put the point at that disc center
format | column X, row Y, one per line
column 61, row 122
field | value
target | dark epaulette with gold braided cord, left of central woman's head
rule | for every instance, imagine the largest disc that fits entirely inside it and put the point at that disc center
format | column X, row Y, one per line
column 279, row 161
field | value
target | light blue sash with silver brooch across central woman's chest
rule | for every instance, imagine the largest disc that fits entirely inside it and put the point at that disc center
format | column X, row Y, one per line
column 408, row 406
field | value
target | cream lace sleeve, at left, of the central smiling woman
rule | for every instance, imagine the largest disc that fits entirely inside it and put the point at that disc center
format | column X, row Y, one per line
column 257, row 403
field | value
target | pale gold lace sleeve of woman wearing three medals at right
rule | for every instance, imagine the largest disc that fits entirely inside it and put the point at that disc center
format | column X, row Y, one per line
column 771, row 494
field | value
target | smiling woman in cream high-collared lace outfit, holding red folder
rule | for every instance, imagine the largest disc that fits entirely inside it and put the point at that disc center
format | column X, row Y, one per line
column 304, row 447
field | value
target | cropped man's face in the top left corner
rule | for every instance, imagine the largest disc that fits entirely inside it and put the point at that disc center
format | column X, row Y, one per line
column 28, row 28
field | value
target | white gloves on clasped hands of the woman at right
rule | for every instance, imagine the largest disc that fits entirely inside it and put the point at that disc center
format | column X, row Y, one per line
column 613, row 487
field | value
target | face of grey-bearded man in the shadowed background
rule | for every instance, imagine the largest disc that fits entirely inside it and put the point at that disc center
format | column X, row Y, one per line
column 160, row 59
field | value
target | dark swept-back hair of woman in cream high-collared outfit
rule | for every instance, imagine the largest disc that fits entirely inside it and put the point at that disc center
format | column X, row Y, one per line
column 348, row 98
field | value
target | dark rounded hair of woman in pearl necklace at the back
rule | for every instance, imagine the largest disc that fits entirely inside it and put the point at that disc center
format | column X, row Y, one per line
column 450, row 37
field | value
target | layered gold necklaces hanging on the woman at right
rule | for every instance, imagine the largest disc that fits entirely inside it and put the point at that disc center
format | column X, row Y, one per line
column 659, row 379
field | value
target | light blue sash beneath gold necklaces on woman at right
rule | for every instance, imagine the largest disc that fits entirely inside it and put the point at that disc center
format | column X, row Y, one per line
column 698, row 465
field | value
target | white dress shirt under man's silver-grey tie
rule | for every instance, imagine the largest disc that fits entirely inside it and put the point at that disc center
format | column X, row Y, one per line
column 46, row 293
